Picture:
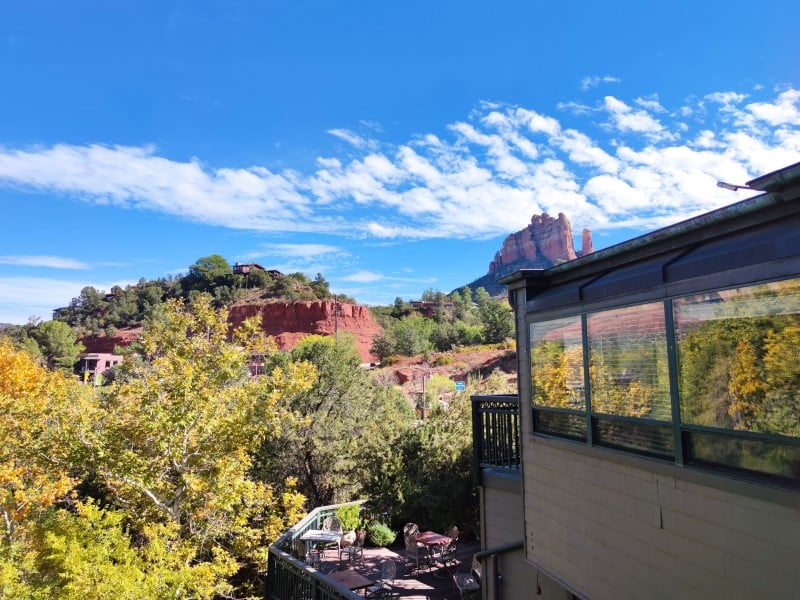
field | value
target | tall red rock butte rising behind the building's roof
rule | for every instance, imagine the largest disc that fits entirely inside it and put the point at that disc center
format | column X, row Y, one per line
column 545, row 242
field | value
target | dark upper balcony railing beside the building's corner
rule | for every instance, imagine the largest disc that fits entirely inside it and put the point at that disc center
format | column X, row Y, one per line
column 495, row 433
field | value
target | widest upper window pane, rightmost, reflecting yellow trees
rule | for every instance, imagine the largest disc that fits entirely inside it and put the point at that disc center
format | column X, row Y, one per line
column 737, row 358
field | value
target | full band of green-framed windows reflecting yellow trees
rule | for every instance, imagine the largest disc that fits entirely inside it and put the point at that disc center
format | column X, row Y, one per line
column 737, row 360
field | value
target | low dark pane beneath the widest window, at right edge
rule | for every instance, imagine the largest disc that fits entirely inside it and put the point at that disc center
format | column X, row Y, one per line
column 773, row 458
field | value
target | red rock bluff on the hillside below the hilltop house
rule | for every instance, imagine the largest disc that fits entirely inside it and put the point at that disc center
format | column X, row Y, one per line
column 288, row 323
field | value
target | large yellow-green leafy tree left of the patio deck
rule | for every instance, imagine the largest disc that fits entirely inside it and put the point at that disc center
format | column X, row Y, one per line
column 173, row 439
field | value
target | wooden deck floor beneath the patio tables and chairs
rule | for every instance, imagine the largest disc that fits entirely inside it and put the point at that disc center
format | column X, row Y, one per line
column 424, row 585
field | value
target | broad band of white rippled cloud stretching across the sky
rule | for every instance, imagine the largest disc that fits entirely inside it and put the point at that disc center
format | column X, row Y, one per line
column 640, row 163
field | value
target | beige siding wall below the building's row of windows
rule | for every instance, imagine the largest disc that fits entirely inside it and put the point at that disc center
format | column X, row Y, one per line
column 612, row 530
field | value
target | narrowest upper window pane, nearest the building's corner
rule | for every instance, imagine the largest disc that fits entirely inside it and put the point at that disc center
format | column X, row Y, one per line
column 557, row 364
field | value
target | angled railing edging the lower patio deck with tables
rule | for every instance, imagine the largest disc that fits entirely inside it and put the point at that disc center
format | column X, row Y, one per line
column 289, row 577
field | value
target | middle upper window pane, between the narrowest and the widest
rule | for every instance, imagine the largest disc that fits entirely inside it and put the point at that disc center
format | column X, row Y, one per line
column 628, row 367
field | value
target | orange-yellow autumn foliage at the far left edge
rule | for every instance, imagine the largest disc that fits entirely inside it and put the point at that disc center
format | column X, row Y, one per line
column 37, row 408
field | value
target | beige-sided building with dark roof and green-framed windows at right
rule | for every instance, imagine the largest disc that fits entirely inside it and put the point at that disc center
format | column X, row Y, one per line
column 653, row 450
